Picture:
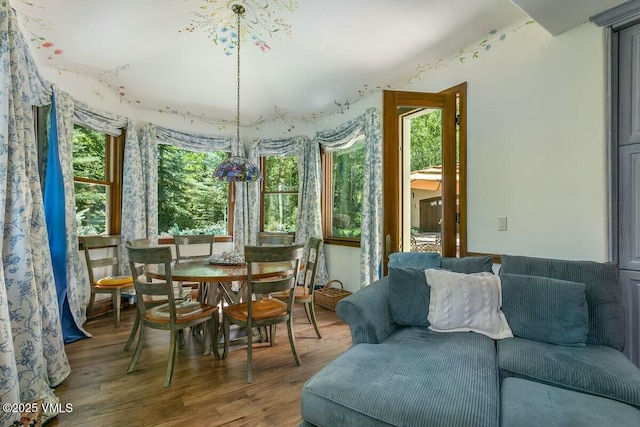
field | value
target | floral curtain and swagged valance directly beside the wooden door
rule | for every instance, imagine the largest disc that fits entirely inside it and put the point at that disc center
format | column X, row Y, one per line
column 369, row 126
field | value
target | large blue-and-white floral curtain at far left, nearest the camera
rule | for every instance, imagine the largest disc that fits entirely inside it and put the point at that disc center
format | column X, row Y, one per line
column 32, row 356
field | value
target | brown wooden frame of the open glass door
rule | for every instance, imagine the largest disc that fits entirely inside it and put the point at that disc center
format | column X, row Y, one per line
column 392, row 165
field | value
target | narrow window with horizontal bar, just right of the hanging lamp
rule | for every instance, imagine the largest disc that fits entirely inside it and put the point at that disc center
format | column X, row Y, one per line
column 280, row 193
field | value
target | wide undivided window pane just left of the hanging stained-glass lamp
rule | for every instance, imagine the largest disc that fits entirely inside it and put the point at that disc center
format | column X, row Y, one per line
column 190, row 200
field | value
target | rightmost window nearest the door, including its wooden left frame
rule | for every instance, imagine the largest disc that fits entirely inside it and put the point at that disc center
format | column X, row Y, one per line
column 343, row 173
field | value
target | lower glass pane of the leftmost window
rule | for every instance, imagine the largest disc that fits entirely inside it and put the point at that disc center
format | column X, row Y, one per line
column 91, row 208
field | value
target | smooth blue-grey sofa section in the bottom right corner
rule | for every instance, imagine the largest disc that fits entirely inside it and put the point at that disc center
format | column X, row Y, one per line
column 548, row 406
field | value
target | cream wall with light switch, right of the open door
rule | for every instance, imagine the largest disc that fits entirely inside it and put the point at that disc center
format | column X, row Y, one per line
column 537, row 150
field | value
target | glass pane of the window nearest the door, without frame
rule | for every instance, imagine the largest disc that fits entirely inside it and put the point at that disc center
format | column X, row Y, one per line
column 347, row 177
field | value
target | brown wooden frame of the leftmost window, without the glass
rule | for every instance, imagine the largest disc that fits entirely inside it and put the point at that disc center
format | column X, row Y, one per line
column 114, row 170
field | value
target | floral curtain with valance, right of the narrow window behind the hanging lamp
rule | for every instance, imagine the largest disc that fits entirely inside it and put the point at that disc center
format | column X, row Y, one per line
column 309, row 223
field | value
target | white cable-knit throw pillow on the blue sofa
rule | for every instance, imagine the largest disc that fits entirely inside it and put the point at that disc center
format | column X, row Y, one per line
column 466, row 302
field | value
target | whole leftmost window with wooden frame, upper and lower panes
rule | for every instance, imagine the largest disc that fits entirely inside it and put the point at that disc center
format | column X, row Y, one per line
column 97, row 177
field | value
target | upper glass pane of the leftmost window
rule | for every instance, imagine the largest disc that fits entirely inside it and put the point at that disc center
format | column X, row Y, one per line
column 89, row 153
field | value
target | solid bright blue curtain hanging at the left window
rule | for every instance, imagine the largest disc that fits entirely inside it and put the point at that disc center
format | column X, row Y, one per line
column 54, row 210
